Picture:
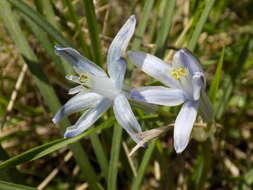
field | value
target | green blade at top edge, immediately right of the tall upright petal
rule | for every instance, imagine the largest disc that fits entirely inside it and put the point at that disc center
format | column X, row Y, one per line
column 142, row 24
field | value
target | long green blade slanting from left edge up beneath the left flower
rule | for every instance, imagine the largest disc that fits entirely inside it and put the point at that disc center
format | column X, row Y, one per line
column 45, row 149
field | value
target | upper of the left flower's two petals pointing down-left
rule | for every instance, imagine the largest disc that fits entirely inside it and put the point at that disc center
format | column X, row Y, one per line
column 77, row 103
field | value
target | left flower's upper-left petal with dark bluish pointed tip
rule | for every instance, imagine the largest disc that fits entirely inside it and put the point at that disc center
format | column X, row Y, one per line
column 80, row 63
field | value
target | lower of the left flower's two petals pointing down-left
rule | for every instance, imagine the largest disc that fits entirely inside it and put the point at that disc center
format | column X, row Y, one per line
column 88, row 118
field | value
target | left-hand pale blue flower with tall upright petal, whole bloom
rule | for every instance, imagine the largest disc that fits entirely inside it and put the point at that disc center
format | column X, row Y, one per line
column 97, row 92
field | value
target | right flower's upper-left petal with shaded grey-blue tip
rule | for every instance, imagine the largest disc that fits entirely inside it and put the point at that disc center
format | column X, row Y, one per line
column 153, row 66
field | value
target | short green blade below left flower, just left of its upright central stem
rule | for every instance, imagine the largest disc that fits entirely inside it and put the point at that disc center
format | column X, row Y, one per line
column 100, row 154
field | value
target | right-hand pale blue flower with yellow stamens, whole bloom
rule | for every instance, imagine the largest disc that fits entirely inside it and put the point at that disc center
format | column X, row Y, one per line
column 187, row 84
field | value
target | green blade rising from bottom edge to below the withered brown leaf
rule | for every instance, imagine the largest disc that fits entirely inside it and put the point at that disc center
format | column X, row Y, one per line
column 144, row 164
